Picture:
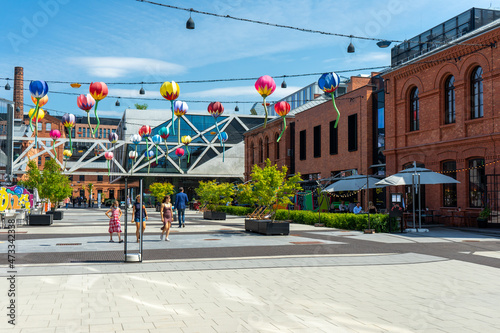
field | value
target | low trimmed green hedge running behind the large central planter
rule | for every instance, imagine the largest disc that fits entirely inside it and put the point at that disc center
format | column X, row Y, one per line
column 378, row 222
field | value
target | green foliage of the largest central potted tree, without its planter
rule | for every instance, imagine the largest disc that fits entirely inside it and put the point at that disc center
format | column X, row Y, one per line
column 271, row 188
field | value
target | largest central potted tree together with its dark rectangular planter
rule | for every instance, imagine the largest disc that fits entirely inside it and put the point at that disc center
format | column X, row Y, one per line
column 271, row 188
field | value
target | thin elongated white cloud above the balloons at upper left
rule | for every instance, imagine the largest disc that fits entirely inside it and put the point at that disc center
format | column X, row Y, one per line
column 113, row 67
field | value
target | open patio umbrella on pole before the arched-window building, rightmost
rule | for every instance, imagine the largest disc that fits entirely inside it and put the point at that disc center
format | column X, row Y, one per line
column 417, row 176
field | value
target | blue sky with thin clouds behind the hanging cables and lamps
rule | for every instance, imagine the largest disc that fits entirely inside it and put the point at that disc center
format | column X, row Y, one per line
column 130, row 41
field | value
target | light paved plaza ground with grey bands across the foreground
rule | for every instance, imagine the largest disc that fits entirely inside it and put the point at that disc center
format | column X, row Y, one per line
column 214, row 277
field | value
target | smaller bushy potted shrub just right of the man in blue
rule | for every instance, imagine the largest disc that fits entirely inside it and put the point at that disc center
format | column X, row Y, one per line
column 212, row 195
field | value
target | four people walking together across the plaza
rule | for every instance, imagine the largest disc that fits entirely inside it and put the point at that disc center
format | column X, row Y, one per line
column 166, row 212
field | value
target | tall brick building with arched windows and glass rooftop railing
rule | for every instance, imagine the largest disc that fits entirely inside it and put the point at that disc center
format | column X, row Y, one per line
column 440, row 101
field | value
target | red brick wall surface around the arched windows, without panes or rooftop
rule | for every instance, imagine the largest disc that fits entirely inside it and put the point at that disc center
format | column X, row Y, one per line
column 436, row 141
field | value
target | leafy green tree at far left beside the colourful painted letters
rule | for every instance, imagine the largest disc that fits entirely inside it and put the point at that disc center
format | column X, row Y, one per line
column 51, row 183
